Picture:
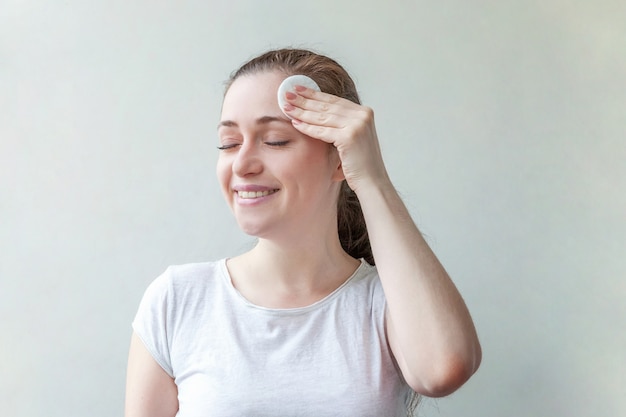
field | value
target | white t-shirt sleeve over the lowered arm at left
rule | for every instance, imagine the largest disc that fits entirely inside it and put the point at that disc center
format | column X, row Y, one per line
column 151, row 321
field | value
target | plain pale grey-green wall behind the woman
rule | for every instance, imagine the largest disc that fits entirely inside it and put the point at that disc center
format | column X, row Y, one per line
column 503, row 125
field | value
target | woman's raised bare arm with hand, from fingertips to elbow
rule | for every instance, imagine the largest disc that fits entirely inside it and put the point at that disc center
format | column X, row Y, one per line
column 430, row 330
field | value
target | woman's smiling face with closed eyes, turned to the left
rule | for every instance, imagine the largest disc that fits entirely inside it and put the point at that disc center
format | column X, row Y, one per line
column 277, row 181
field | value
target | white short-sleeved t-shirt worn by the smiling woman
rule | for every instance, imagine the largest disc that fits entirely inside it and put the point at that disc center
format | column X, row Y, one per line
column 230, row 357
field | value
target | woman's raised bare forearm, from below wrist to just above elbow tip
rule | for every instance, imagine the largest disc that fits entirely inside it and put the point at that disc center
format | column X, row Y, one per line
column 431, row 326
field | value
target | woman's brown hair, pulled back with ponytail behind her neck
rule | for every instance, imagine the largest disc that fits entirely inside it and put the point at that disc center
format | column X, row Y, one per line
column 332, row 78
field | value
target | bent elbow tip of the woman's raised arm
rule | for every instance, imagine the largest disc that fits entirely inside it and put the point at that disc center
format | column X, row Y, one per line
column 445, row 375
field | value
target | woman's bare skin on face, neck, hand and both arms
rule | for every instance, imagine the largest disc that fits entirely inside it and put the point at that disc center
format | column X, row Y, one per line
column 429, row 327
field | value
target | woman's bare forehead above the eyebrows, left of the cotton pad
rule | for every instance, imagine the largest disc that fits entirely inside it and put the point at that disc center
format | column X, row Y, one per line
column 252, row 95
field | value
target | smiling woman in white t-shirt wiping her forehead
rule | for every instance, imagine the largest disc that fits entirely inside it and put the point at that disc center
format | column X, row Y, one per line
column 303, row 324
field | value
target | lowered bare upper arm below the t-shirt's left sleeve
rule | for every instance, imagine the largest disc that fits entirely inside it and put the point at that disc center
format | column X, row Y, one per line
column 150, row 391
